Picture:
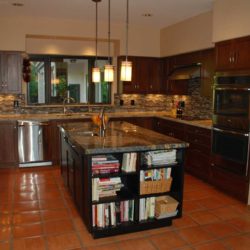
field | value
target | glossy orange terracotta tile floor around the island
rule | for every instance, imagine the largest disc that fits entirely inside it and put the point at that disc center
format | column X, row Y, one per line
column 36, row 213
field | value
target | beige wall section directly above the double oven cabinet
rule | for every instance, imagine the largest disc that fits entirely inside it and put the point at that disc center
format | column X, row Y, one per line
column 231, row 19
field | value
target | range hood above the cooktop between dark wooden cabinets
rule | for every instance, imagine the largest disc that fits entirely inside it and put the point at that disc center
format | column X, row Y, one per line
column 186, row 72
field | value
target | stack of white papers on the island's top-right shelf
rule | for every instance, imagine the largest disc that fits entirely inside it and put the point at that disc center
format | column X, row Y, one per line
column 160, row 157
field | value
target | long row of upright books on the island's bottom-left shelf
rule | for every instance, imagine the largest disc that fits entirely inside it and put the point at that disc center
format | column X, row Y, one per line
column 112, row 214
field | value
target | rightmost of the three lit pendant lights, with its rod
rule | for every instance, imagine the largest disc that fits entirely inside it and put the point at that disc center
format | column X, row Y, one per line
column 126, row 66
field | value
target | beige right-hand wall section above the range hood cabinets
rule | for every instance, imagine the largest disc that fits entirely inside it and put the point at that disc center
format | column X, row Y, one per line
column 190, row 35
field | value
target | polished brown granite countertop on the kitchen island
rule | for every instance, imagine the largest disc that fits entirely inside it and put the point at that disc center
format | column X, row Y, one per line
column 120, row 137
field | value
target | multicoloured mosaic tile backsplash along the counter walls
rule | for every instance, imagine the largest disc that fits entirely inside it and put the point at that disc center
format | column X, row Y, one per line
column 195, row 104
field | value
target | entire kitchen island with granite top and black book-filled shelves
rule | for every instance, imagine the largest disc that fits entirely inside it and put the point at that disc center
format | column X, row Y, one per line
column 130, row 180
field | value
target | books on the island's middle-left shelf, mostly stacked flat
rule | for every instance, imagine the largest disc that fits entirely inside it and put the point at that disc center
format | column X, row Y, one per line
column 105, row 187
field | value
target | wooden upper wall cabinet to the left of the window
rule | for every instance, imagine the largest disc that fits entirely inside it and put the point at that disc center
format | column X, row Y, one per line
column 10, row 72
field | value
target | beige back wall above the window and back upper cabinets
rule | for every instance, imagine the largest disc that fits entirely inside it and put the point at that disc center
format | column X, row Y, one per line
column 143, row 41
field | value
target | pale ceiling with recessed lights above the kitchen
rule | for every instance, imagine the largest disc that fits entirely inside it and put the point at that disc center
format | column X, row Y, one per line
column 164, row 12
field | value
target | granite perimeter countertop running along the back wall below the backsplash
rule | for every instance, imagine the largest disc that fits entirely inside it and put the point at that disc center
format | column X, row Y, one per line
column 60, row 116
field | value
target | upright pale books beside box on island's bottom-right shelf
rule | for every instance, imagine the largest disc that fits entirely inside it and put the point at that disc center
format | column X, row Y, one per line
column 147, row 208
